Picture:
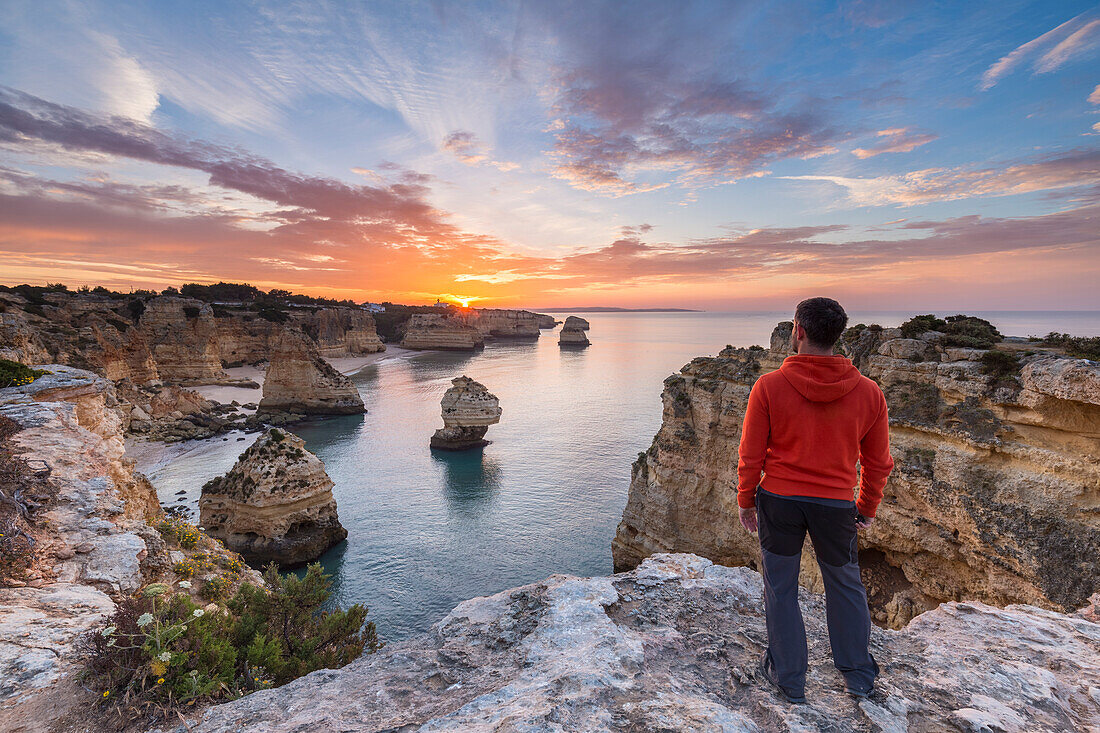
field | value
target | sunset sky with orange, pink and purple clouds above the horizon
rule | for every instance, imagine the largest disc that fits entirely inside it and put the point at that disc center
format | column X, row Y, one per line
column 716, row 156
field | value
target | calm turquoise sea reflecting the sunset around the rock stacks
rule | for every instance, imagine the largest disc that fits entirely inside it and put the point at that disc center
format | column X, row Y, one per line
column 428, row 530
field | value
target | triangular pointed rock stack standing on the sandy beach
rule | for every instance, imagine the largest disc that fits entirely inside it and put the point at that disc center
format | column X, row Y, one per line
column 300, row 380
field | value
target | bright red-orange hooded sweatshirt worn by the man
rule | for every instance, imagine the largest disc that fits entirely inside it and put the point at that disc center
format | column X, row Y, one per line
column 807, row 425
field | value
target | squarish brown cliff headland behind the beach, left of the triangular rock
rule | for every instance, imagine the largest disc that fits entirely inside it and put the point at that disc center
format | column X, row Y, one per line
column 183, row 337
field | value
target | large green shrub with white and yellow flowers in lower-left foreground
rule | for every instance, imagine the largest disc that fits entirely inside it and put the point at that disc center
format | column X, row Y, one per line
column 160, row 651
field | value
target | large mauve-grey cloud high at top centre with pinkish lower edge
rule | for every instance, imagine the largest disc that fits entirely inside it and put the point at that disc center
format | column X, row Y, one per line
column 635, row 107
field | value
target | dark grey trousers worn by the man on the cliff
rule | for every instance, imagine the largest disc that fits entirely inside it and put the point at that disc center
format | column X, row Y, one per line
column 784, row 524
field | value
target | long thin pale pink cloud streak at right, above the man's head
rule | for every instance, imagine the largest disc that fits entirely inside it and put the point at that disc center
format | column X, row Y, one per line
column 1080, row 168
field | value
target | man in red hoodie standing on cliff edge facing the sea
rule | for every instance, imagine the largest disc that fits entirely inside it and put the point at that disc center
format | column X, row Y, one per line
column 807, row 425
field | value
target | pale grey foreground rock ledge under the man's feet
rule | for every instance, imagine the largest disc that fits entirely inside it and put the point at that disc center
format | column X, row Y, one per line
column 674, row 647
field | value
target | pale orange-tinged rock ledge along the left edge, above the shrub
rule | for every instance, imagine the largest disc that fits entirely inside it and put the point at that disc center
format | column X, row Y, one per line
column 94, row 542
